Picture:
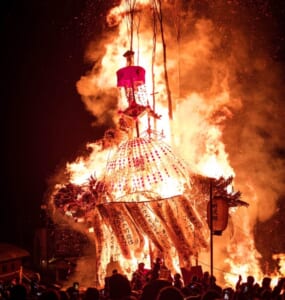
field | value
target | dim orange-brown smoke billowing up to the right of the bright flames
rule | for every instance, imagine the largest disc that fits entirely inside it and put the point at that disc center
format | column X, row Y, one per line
column 241, row 58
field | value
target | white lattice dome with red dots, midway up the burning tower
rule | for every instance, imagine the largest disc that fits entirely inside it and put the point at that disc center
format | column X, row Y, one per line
column 145, row 165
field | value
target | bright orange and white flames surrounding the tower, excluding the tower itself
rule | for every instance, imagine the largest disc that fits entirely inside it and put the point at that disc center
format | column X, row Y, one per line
column 201, row 110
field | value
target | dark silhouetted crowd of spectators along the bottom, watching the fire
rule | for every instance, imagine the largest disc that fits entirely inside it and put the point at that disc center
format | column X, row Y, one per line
column 156, row 283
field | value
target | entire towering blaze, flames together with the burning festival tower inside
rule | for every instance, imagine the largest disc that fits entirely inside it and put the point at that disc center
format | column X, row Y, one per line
column 143, row 190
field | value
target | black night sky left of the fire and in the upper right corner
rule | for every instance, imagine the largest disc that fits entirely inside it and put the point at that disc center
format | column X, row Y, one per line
column 44, row 122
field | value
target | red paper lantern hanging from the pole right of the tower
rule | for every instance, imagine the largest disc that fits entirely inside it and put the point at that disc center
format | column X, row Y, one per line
column 219, row 213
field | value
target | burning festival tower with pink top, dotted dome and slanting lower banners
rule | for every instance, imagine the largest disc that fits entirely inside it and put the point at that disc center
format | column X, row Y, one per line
column 146, row 201
